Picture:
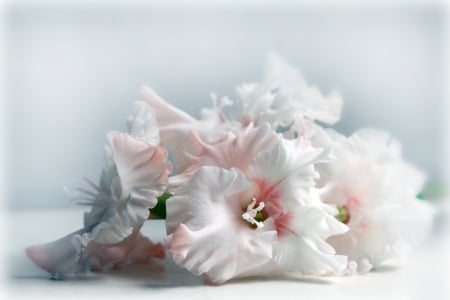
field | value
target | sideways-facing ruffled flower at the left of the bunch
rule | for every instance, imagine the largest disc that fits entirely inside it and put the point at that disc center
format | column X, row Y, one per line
column 139, row 177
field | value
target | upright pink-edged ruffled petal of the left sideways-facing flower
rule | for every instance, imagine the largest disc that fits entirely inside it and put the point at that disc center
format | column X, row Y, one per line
column 143, row 171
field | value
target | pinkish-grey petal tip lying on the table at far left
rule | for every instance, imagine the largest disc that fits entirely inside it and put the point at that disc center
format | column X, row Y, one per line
column 58, row 257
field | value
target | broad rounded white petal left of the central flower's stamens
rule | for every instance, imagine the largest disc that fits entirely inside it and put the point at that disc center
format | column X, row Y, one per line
column 207, row 234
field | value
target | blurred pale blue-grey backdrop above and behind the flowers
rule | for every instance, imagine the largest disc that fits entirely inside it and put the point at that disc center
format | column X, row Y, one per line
column 73, row 70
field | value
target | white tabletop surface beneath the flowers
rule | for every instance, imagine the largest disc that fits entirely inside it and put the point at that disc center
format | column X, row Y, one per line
column 426, row 275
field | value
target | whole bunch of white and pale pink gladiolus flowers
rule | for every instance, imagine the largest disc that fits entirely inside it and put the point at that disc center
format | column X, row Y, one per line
column 255, row 187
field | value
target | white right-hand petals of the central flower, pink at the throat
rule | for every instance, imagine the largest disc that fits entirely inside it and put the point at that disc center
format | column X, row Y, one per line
column 284, row 178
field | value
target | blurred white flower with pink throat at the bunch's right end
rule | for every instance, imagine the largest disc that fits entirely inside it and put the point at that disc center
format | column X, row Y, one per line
column 375, row 191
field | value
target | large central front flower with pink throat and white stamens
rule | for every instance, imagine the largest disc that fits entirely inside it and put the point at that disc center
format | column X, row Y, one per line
column 253, row 211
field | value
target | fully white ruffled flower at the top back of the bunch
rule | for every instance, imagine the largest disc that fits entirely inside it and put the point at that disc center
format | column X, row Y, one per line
column 282, row 98
